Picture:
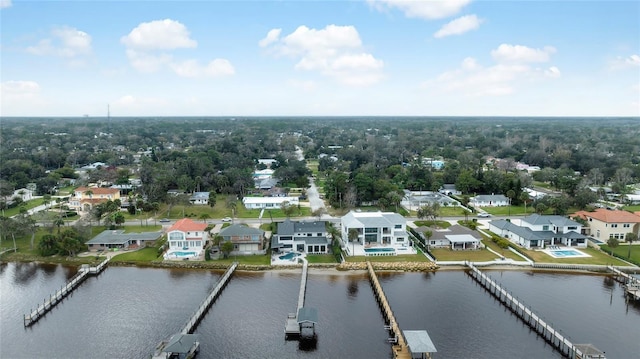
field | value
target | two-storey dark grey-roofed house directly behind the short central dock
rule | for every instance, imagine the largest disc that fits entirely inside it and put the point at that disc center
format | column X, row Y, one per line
column 308, row 237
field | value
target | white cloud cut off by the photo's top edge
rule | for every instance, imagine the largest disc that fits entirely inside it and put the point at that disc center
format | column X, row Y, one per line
column 433, row 9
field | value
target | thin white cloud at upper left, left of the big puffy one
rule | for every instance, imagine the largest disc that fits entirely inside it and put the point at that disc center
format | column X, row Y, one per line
column 65, row 42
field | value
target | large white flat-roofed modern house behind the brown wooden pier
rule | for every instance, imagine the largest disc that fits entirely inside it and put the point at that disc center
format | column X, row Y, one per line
column 379, row 233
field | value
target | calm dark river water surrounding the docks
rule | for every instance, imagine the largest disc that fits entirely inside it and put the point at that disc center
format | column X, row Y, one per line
column 124, row 312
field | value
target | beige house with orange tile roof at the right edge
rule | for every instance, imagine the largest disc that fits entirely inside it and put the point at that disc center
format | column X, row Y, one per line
column 605, row 223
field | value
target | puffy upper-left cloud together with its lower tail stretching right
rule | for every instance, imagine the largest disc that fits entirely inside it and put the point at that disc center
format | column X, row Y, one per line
column 149, row 44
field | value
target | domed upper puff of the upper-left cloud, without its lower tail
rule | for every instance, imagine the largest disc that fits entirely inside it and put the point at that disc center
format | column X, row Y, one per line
column 164, row 34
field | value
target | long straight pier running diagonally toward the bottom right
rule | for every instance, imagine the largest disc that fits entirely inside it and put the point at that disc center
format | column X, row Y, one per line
column 546, row 331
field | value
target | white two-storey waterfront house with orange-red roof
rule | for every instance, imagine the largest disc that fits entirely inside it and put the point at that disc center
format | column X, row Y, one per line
column 187, row 235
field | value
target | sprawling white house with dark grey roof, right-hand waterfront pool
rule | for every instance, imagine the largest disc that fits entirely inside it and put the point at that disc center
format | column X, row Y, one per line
column 539, row 231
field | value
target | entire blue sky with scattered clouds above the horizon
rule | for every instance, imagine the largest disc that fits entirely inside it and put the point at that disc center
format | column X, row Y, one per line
column 307, row 58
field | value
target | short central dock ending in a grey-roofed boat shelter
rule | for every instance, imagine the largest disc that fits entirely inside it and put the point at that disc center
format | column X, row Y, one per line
column 303, row 318
